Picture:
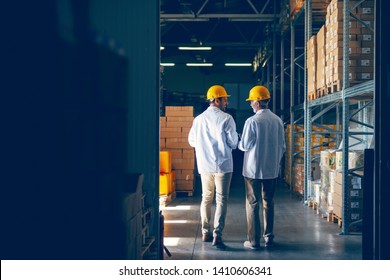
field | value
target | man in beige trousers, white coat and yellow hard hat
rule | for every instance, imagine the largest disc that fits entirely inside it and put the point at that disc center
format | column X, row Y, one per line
column 213, row 135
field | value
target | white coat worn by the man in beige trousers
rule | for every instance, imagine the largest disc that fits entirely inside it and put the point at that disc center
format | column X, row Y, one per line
column 213, row 135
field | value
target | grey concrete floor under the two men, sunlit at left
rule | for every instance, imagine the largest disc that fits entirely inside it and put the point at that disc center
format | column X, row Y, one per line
column 300, row 234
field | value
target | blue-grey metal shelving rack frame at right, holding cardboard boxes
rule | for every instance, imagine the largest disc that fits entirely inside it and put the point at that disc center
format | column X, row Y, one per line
column 344, row 98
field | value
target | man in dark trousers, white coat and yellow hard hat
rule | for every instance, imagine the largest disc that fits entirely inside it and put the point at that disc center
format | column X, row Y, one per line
column 263, row 142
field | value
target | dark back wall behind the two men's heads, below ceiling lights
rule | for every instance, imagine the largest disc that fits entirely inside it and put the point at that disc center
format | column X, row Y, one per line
column 190, row 84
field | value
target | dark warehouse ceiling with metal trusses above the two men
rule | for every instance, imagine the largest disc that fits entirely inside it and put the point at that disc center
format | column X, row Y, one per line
column 235, row 29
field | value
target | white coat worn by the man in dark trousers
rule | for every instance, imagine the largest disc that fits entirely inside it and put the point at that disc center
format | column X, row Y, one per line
column 264, row 144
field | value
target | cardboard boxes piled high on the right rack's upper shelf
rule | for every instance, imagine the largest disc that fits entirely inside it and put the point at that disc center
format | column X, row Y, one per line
column 325, row 67
